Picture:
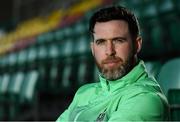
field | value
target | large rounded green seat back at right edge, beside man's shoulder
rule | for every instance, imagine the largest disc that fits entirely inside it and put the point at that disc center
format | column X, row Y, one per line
column 169, row 75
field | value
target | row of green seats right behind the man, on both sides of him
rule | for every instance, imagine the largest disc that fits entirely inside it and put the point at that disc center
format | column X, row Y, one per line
column 66, row 76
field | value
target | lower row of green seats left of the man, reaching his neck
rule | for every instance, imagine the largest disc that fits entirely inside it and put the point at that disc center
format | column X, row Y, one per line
column 21, row 88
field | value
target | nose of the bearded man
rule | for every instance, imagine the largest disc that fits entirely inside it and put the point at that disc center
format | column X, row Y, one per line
column 110, row 49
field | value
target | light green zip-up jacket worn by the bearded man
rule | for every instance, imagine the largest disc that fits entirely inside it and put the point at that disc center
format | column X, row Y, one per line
column 134, row 97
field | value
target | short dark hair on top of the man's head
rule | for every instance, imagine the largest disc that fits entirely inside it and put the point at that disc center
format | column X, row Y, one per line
column 115, row 13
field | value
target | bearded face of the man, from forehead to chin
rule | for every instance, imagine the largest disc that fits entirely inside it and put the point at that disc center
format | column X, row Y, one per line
column 113, row 48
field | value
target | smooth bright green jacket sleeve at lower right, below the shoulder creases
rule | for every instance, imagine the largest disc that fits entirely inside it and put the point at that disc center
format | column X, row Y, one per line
column 142, row 107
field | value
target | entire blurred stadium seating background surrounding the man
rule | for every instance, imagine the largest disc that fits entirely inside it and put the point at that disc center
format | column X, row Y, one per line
column 45, row 55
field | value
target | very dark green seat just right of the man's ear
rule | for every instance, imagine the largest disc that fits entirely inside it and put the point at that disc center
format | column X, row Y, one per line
column 153, row 39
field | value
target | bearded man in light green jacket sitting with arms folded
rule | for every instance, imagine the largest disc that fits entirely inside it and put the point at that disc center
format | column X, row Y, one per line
column 125, row 91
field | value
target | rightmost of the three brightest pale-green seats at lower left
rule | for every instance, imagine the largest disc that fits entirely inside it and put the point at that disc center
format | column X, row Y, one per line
column 29, row 94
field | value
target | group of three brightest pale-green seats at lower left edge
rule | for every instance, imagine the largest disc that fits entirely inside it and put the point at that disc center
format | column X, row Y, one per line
column 16, row 89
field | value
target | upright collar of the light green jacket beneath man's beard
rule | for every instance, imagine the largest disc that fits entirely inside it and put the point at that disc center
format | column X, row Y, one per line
column 128, row 79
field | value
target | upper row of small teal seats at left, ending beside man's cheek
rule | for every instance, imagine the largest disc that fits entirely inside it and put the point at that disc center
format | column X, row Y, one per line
column 59, row 50
